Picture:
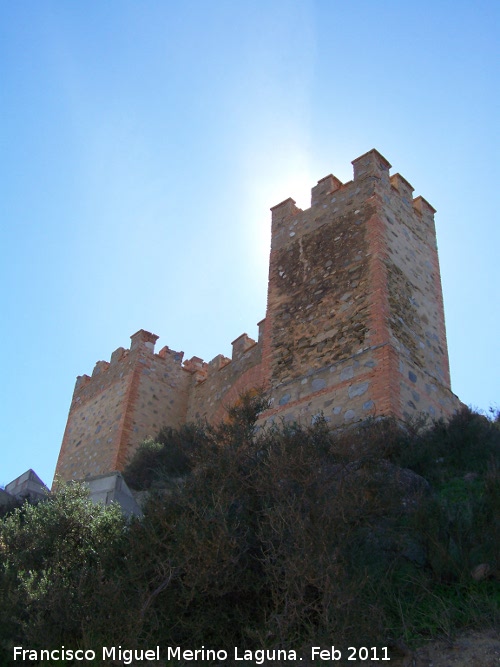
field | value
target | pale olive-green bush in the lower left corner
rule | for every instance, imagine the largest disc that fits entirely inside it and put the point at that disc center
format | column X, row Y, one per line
column 59, row 565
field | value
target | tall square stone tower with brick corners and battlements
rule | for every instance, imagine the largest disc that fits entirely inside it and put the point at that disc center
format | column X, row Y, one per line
column 355, row 309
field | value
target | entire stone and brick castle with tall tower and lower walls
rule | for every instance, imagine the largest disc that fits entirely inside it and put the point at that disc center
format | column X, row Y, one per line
column 354, row 327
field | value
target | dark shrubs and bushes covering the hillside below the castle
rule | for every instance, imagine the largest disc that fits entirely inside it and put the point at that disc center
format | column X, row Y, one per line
column 268, row 538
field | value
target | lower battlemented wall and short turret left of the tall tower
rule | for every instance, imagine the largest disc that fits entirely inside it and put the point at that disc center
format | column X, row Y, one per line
column 135, row 394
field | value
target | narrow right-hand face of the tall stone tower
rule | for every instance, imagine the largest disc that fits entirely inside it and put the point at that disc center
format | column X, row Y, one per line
column 416, row 321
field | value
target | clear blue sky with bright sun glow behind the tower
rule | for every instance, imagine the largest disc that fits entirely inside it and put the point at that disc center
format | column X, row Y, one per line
column 143, row 143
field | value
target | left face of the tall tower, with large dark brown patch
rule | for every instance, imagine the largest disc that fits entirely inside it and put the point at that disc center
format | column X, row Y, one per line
column 318, row 305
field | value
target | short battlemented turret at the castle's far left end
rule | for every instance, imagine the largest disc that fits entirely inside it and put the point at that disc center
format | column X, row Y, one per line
column 125, row 401
